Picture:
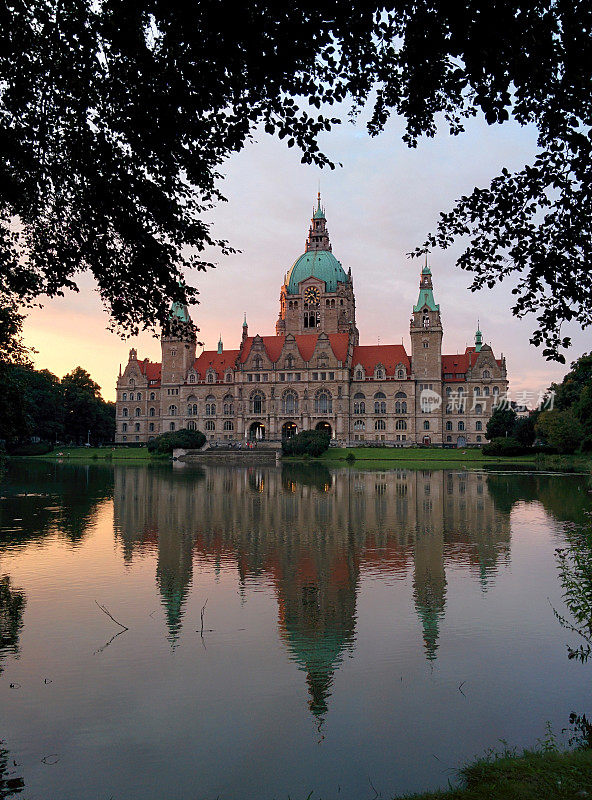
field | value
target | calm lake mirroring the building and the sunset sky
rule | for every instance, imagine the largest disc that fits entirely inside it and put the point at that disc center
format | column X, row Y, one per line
column 295, row 629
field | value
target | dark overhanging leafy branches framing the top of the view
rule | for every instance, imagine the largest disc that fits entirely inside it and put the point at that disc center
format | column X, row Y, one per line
column 115, row 122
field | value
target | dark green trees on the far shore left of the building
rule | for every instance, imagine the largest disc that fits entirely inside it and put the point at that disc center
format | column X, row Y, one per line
column 36, row 405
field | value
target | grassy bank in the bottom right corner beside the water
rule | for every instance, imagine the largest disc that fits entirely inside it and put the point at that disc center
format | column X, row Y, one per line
column 530, row 776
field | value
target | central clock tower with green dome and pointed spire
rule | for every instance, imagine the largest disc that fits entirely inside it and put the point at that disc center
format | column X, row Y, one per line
column 317, row 295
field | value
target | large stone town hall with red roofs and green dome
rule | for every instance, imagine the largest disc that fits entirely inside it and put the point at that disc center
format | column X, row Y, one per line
column 314, row 373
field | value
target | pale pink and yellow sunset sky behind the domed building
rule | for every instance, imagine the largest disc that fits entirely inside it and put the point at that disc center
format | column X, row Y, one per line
column 380, row 204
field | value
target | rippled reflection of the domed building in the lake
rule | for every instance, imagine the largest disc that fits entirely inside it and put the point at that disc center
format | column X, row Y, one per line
column 313, row 535
